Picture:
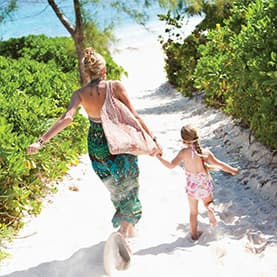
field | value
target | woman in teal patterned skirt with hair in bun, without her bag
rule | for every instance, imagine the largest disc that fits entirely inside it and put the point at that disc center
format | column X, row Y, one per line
column 119, row 172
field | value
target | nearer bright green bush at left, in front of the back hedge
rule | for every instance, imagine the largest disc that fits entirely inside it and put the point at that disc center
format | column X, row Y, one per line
column 28, row 113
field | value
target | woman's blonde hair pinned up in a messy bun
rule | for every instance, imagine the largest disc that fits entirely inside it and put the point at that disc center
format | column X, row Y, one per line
column 93, row 62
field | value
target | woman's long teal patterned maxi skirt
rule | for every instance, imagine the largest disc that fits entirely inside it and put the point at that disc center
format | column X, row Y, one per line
column 119, row 173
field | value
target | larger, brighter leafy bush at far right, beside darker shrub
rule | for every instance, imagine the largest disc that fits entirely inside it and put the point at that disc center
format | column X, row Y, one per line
column 242, row 76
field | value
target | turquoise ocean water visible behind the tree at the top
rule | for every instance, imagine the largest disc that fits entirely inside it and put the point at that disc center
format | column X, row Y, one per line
column 37, row 17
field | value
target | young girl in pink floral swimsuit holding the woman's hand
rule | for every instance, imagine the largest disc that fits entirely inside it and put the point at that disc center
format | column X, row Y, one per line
column 197, row 163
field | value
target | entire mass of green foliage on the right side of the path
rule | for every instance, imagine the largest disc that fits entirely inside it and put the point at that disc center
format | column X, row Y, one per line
column 234, row 63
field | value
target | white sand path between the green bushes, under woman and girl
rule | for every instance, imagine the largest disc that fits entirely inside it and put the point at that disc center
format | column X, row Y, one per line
column 67, row 238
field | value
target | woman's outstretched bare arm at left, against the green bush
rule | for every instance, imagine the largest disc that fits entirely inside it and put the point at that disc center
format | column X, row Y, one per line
column 58, row 126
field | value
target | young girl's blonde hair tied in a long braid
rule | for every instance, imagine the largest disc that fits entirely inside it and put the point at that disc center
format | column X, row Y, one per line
column 190, row 134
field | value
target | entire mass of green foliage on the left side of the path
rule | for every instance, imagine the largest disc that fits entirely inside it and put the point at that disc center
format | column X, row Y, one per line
column 38, row 75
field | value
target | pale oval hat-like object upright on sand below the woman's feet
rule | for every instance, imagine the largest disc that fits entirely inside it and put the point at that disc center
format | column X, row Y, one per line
column 117, row 254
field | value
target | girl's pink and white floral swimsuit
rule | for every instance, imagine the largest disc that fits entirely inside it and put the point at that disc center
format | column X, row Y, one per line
column 199, row 185
